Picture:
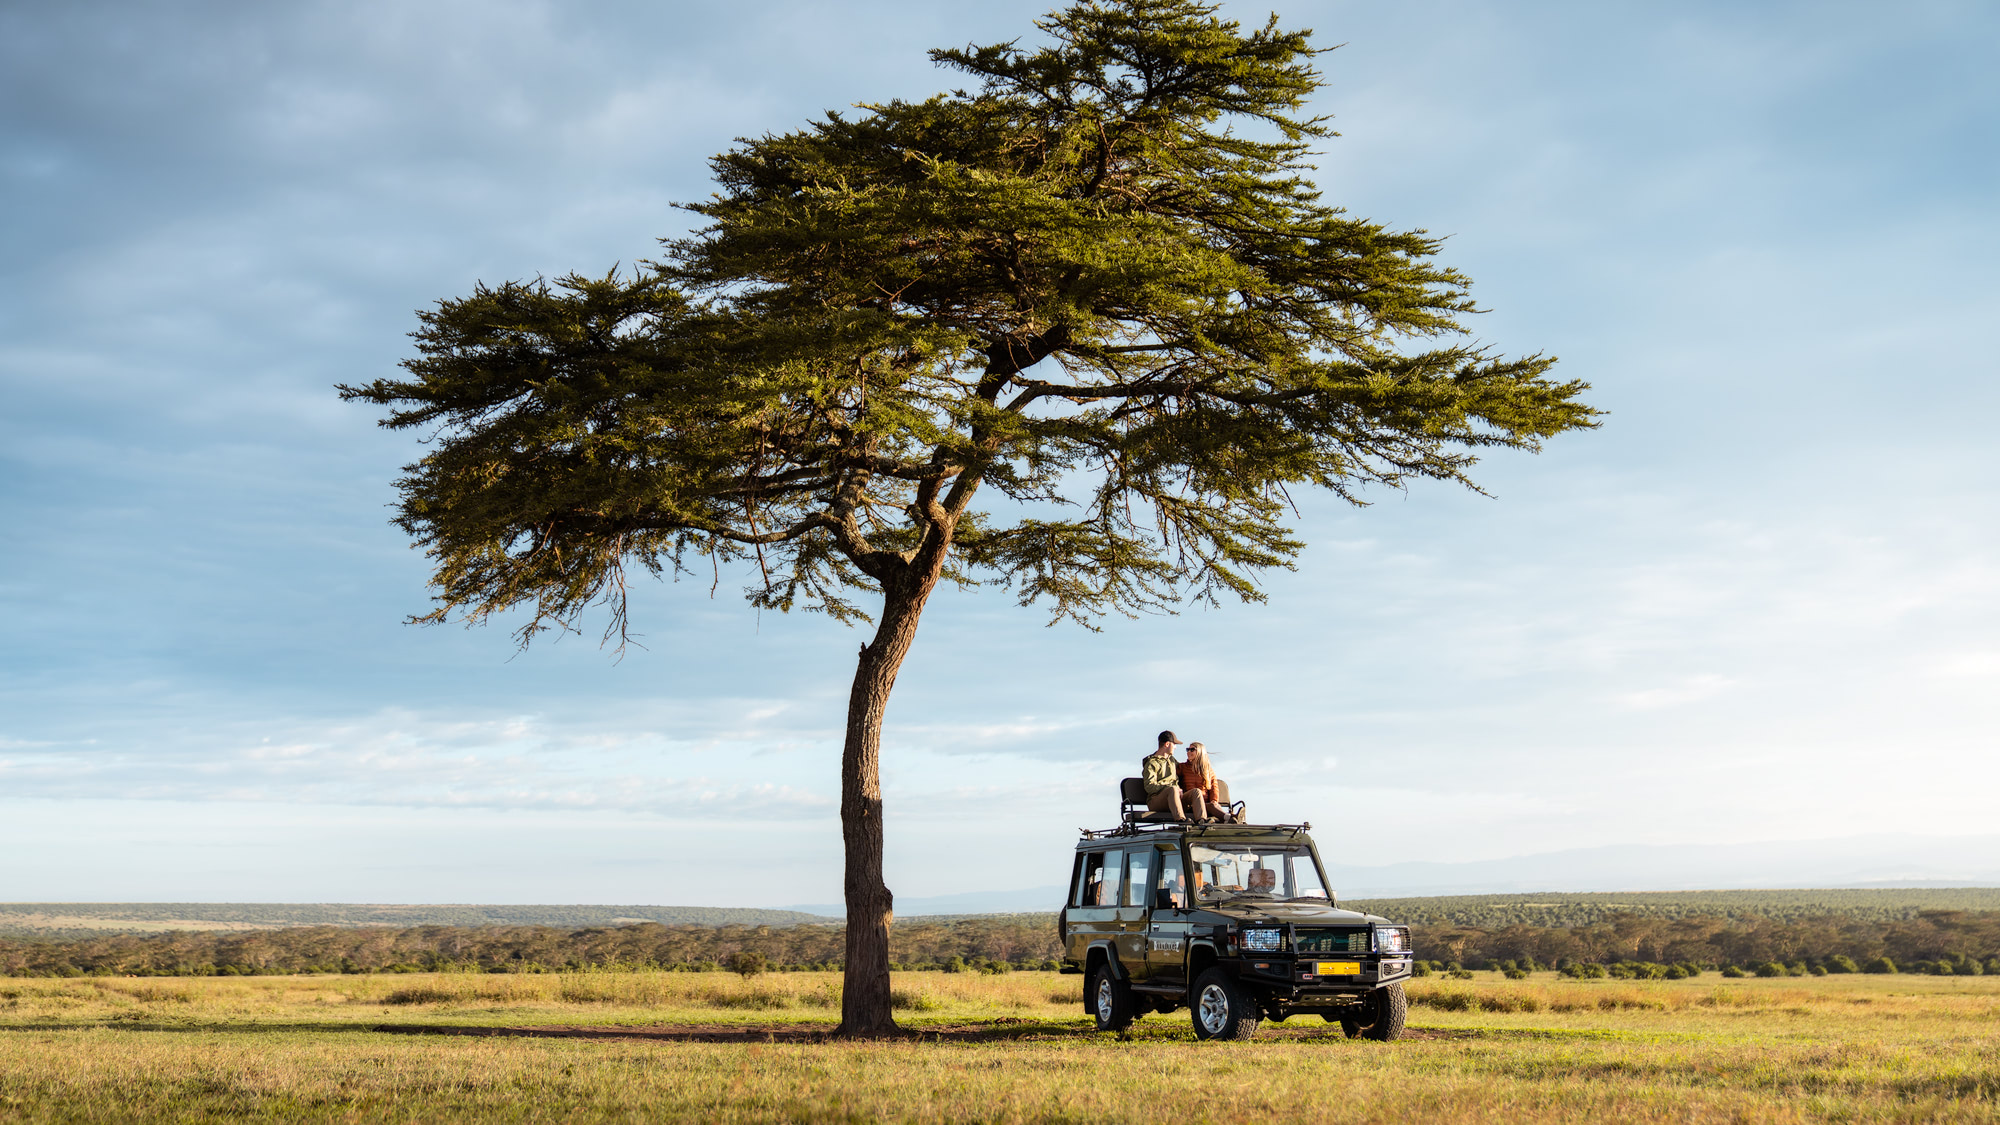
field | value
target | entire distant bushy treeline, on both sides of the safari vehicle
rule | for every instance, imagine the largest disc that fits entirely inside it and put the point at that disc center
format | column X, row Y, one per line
column 1783, row 936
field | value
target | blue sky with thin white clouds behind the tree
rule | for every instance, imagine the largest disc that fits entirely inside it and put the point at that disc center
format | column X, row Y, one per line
column 1761, row 604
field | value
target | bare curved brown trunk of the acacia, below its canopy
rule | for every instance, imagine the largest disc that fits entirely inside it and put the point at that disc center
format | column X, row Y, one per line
column 865, row 1006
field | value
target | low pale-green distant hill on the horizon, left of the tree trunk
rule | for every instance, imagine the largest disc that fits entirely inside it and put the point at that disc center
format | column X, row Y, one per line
column 81, row 920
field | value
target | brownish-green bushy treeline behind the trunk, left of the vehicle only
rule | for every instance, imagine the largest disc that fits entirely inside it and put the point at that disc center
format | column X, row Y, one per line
column 1025, row 942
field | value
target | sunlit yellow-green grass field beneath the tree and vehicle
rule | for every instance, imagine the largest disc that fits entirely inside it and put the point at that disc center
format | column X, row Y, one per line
column 1013, row 1048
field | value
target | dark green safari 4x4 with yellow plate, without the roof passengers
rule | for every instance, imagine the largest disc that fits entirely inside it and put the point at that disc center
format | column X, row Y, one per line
column 1237, row 924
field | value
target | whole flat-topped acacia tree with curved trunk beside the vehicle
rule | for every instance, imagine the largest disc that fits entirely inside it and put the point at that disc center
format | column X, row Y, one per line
column 1097, row 291
